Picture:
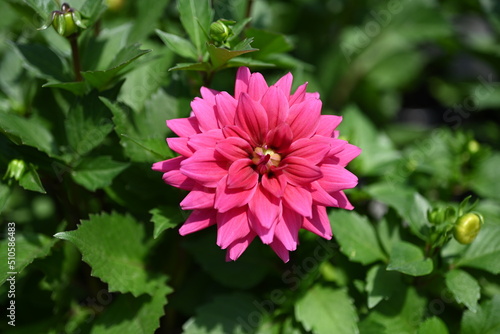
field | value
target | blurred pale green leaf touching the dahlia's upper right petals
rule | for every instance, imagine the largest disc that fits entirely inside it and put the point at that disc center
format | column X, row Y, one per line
column 378, row 151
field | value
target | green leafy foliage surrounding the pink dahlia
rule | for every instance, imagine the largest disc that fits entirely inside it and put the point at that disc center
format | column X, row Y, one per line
column 97, row 247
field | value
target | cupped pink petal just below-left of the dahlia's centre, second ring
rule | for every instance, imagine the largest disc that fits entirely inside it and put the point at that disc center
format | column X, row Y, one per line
column 227, row 199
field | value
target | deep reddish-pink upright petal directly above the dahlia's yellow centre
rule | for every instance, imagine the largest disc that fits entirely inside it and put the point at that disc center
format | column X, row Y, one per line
column 252, row 118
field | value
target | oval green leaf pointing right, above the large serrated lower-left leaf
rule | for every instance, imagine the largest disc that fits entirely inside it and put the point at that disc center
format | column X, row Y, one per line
column 97, row 172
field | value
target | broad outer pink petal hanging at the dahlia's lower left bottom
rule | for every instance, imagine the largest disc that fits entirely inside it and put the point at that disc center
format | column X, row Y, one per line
column 231, row 226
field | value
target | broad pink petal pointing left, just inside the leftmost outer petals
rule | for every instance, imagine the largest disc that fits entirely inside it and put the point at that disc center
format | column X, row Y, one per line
column 204, row 167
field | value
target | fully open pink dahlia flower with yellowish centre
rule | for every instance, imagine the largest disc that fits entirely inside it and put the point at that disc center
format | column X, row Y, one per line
column 263, row 162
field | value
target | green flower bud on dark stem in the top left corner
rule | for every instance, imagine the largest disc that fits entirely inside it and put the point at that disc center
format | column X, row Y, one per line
column 67, row 21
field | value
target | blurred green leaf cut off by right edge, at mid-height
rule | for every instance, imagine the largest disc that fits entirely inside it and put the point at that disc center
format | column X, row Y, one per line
column 484, row 180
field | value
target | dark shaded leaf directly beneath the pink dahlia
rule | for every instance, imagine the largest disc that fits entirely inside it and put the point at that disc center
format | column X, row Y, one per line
column 242, row 274
